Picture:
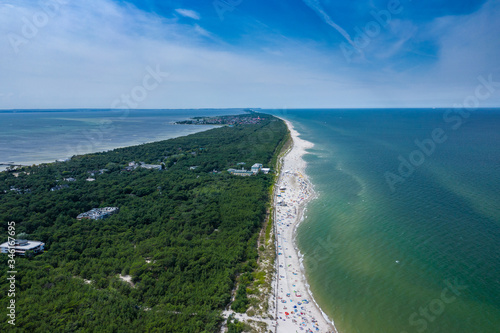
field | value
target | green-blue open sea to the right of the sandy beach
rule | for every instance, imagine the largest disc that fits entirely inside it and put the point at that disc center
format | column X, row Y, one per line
column 422, row 258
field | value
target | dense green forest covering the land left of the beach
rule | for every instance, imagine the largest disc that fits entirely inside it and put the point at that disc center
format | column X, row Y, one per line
column 183, row 235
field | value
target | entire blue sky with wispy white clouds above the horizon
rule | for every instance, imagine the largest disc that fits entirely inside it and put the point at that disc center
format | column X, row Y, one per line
column 242, row 53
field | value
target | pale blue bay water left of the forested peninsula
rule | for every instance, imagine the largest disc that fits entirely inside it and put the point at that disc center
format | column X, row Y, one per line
column 33, row 136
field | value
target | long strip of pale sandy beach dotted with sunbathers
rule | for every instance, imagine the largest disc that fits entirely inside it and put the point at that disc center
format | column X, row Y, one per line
column 295, row 308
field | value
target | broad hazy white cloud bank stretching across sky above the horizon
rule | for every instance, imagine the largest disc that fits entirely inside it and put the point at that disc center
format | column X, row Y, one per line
column 89, row 54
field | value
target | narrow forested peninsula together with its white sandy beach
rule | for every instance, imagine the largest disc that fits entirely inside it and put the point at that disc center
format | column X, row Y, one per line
column 188, row 245
